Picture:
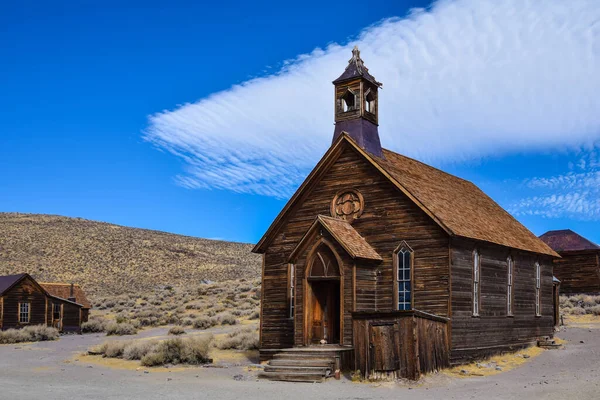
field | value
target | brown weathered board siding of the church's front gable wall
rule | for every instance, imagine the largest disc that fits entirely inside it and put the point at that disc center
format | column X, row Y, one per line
column 389, row 217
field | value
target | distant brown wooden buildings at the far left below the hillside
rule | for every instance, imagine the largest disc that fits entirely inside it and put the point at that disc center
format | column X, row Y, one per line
column 24, row 302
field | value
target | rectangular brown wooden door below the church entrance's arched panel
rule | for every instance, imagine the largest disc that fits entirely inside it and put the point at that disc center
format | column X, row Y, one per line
column 325, row 312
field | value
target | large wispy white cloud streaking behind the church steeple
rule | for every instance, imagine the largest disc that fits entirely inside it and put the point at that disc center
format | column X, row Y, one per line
column 464, row 79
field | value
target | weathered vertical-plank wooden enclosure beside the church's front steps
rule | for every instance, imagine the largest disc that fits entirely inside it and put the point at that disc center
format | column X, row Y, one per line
column 400, row 344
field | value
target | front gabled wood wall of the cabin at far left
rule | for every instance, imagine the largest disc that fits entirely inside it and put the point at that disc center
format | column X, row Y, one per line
column 25, row 291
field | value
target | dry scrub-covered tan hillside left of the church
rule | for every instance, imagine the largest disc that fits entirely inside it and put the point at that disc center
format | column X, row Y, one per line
column 112, row 259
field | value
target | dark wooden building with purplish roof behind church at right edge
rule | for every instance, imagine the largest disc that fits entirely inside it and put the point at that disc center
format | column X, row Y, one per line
column 578, row 269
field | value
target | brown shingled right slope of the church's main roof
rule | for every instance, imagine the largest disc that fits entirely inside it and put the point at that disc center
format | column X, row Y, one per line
column 460, row 206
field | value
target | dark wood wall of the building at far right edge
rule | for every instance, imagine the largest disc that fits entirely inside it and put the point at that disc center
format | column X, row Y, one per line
column 578, row 272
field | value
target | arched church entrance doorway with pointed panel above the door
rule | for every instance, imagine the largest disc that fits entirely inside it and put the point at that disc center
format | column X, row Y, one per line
column 323, row 301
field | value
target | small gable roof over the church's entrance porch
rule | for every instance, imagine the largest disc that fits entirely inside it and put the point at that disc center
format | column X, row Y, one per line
column 354, row 244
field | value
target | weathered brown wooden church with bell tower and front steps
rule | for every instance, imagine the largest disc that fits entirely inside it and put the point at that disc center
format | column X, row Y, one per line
column 386, row 265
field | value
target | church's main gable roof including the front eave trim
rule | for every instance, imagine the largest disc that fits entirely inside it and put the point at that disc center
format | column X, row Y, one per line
column 458, row 206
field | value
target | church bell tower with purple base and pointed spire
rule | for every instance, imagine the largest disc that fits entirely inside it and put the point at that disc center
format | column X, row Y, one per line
column 356, row 105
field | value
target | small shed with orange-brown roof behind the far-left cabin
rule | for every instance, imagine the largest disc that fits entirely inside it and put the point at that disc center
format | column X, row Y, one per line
column 72, row 317
